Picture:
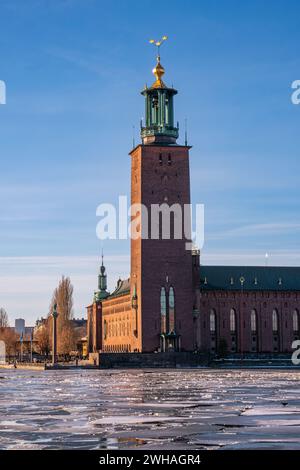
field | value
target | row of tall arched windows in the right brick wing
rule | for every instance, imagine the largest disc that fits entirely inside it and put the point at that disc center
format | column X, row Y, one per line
column 253, row 320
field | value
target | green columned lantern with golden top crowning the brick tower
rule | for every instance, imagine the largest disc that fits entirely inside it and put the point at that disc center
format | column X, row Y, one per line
column 159, row 109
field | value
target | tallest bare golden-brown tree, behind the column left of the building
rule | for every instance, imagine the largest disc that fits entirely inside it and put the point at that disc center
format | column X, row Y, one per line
column 63, row 298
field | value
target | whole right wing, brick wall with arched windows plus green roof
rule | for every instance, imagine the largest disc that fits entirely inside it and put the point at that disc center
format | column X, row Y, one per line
column 256, row 309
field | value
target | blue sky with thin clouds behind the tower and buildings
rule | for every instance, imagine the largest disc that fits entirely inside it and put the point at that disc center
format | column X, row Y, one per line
column 73, row 71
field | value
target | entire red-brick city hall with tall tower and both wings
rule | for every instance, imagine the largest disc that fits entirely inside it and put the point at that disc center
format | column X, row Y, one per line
column 171, row 302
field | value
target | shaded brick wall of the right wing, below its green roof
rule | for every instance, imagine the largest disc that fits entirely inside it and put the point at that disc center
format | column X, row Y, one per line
column 243, row 339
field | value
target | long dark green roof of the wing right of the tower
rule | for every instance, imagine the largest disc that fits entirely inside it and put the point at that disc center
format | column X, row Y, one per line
column 255, row 278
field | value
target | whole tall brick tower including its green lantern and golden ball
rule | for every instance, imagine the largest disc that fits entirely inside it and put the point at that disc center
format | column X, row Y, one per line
column 161, row 265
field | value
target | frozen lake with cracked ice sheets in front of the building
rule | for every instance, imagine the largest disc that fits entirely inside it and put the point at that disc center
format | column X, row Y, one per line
column 145, row 409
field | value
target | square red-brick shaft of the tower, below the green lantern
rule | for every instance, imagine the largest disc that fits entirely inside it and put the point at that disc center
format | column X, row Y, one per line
column 161, row 174
